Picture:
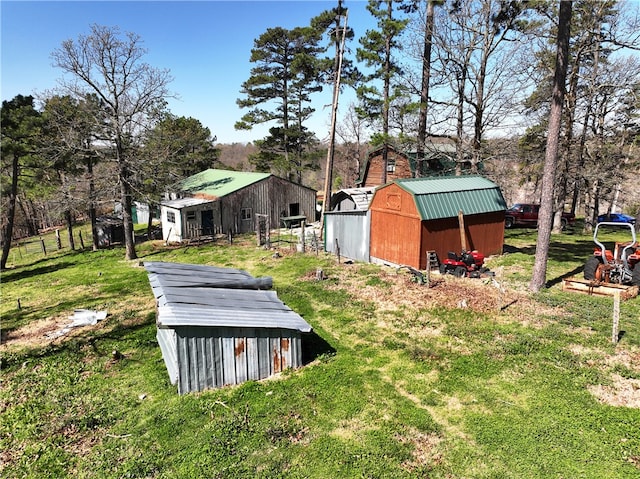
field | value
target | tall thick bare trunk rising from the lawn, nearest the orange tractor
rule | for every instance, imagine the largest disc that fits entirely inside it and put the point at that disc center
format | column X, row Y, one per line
column 545, row 218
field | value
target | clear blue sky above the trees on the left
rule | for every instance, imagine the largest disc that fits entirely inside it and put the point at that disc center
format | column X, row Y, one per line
column 205, row 44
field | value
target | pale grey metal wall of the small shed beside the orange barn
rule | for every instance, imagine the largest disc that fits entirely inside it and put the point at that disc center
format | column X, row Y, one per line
column 351, row 229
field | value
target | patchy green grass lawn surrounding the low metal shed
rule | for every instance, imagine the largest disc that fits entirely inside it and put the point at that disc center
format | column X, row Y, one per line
column 460, row 380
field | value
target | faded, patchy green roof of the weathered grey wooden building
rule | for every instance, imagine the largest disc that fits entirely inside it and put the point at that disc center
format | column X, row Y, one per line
column 219, row 183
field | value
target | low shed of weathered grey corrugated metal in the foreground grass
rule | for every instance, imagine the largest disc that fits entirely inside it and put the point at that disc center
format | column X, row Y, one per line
column 221, row 326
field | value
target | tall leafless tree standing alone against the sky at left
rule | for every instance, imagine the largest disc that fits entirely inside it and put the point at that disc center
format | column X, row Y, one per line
column 111, row 66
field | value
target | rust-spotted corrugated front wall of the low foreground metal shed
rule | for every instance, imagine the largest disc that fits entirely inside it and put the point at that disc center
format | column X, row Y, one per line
column 213, row 357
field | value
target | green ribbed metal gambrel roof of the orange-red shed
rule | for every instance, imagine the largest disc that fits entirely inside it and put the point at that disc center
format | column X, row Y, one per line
column 444, row 197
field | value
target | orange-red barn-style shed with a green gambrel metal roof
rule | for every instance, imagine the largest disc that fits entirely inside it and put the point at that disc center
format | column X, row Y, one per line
column 412, row 216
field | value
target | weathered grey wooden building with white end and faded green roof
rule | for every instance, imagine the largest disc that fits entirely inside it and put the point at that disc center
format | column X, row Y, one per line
column 222, row 201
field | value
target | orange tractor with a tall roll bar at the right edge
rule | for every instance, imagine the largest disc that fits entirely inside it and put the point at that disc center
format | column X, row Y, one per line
column 620, row 265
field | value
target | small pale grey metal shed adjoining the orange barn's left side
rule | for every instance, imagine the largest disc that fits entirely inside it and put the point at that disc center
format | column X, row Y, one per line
column 348, row 223
